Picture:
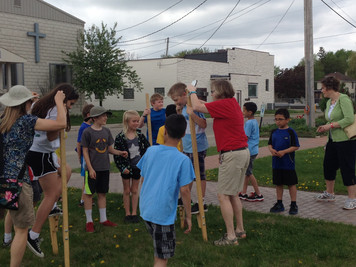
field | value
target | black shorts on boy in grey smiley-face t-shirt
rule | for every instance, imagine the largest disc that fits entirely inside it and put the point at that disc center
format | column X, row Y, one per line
column 98, row 185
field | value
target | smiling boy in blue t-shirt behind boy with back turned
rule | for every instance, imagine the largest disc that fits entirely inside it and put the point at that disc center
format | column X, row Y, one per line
column 158, row 116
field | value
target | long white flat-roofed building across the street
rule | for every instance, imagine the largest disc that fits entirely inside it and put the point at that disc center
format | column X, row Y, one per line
column 250, row 72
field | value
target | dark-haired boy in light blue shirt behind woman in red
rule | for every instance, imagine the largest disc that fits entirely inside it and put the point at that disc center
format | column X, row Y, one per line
column 253, row 134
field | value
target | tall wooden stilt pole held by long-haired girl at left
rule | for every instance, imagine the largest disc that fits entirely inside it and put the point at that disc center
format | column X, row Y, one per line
column 64, row 200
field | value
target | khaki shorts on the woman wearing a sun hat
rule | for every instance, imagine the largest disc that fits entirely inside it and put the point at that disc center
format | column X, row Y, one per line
column 24, row 217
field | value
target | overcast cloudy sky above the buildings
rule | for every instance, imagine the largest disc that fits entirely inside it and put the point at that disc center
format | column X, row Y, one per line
column 274, row 26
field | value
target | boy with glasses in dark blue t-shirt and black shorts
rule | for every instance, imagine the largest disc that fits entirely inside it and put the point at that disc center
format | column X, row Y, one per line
column 282, row 144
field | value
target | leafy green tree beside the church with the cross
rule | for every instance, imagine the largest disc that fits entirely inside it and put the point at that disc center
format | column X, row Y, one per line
column 99, row 65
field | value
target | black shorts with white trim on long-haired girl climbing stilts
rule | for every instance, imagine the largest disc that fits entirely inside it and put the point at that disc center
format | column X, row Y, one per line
column 41, row 164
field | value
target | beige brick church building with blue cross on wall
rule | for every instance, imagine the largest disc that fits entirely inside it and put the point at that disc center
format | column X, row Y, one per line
column 36, row 62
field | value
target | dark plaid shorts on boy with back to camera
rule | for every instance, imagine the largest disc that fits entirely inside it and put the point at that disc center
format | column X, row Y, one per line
column 164, row 239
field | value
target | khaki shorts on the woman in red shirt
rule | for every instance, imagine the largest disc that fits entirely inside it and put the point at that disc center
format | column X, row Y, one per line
column 232, row 169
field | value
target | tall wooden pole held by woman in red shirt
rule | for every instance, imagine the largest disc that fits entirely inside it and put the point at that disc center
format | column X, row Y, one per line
column 197, row 175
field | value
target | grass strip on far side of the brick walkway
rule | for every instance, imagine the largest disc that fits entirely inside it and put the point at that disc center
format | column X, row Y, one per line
column 309, row 167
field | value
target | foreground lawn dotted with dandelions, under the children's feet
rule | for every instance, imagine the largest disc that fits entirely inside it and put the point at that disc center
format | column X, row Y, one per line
column 273, row 240
